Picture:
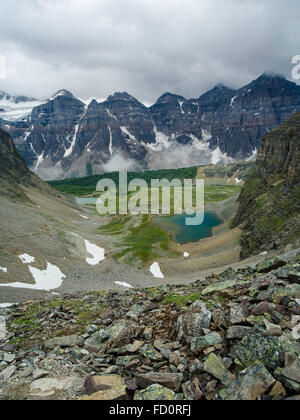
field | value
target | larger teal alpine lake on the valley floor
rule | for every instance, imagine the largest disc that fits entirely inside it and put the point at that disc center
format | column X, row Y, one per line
column 183, row 234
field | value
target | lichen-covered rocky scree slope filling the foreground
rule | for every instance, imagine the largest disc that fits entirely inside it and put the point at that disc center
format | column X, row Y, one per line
column 233, row 337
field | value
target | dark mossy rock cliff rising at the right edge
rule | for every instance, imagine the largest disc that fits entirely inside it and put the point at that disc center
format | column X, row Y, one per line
column 270, row 200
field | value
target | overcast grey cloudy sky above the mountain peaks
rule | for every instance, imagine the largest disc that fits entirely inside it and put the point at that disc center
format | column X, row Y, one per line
column 145, row 47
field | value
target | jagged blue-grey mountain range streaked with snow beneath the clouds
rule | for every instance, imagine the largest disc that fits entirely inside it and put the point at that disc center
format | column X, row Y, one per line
column 63, row 136
